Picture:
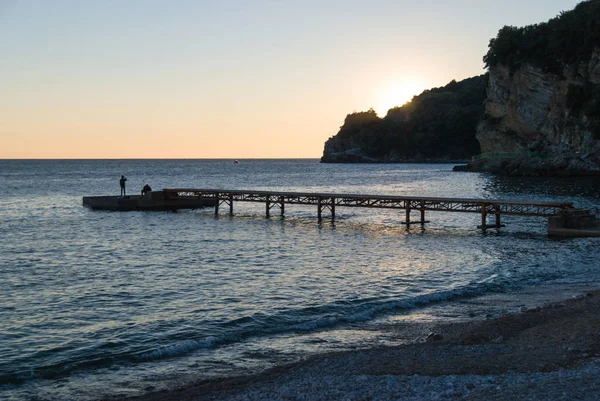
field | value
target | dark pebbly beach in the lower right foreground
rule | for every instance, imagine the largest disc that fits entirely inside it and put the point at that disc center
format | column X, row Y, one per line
column 545, row 353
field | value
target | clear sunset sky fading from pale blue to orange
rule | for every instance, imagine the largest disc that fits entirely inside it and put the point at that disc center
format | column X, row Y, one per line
column 227, row 79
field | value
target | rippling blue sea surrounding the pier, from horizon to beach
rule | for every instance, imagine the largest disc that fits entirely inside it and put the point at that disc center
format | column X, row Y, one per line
column 103, row 304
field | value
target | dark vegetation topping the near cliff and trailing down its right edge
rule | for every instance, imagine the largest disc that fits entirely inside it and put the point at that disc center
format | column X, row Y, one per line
column 564, row 46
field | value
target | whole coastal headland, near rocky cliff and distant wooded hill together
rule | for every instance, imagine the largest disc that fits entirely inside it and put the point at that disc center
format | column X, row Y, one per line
column 539, row 113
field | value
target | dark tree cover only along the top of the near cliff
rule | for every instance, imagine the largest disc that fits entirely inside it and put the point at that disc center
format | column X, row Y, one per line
column 568, row 39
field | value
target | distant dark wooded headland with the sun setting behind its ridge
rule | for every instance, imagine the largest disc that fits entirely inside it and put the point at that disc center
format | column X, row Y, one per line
column 437, row 125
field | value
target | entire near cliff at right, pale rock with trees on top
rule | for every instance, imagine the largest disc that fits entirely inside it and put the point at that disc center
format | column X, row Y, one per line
column 542, row 111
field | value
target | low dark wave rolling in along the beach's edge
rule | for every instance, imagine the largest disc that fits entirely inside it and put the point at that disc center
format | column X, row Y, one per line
column 305, row 319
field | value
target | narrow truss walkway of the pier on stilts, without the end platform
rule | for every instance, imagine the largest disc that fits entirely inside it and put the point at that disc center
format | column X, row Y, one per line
column 331, row 201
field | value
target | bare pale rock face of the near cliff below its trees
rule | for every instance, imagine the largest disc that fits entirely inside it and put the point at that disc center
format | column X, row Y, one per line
column 547, row 118
